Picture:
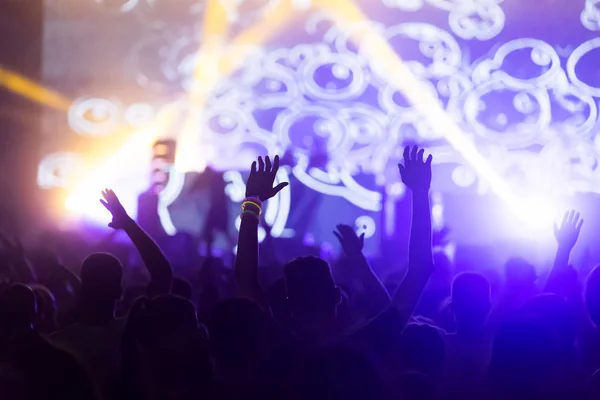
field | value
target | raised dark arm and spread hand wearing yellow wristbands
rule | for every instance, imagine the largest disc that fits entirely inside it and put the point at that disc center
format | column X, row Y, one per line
column 259, row 186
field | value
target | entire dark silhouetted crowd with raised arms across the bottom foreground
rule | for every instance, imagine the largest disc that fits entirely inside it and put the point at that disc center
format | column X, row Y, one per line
column 304, row 332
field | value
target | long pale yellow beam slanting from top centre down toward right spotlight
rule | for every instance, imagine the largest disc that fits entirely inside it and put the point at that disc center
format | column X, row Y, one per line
column 345, row 12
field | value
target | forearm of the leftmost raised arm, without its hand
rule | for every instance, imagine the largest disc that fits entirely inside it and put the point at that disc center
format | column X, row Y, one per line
column 154, row 259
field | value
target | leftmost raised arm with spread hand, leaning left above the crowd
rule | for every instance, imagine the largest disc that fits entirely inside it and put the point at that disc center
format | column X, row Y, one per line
column 155, row 261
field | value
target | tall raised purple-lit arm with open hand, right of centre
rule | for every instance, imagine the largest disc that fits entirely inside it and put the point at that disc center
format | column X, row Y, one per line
column 416, row 175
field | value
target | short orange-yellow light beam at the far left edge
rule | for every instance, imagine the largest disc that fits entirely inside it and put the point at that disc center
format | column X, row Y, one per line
column 31, row 90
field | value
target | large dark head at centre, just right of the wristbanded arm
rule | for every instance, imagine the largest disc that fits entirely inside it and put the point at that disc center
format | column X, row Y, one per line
column 310, row 287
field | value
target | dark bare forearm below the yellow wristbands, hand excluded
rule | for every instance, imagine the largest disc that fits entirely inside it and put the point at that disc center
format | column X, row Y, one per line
column 246, row 262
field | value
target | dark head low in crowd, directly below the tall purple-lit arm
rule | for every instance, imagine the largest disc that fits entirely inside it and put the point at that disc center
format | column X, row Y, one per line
column 422, row 349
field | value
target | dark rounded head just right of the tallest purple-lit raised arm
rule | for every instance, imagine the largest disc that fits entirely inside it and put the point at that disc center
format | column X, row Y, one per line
column 471, row 301
